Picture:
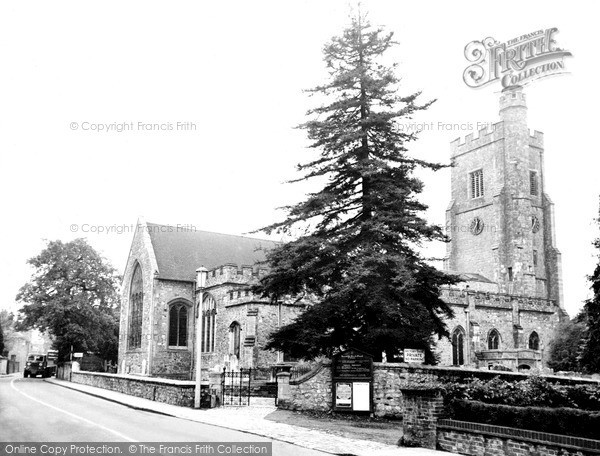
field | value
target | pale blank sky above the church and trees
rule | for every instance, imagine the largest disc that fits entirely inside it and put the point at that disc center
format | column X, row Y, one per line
column 235, row 71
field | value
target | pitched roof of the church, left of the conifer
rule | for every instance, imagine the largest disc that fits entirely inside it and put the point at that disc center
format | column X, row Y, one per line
column 180, row 251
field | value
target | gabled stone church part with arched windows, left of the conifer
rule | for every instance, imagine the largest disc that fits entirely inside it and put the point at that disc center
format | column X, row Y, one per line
column 160, row 303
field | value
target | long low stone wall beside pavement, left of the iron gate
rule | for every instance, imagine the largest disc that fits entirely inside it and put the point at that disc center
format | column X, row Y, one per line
column 174, row 392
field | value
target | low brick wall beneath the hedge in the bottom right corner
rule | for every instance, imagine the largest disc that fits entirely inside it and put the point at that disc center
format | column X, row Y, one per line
column 479, row 439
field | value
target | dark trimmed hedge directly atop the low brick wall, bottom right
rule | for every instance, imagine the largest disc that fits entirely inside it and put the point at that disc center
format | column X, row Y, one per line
column 565, row 421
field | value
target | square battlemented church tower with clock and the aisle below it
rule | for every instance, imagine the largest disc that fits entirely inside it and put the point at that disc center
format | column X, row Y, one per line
column 501, row 225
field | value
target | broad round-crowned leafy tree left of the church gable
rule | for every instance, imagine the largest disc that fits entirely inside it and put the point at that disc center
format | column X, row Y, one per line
column 72, row 295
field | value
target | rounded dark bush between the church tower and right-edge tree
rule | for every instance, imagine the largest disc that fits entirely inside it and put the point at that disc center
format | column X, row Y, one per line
column 565, row 348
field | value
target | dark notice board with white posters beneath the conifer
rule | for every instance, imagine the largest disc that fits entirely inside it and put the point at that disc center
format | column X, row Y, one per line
column 352, row 382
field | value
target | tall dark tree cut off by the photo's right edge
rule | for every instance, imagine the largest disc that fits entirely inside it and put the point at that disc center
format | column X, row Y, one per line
column 590, row 358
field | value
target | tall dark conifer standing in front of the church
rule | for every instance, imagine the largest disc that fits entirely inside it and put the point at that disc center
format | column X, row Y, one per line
column 357, row 256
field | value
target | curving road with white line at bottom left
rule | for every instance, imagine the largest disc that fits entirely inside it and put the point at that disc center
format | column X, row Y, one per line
column 32, row 410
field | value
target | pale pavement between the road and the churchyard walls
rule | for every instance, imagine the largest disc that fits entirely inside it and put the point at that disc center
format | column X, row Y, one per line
column 251, row 419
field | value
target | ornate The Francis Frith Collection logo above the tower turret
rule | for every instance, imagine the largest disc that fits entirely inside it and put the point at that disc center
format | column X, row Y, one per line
column 518, row 61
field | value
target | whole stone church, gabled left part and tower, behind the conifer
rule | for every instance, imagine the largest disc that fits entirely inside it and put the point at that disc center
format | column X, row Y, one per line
column 501, row 225
